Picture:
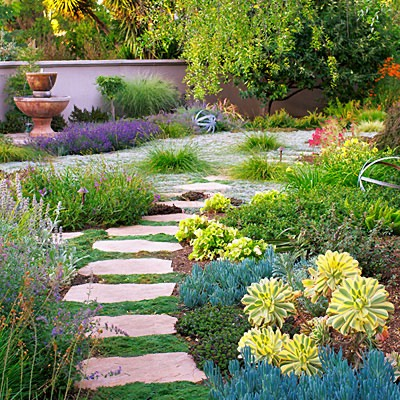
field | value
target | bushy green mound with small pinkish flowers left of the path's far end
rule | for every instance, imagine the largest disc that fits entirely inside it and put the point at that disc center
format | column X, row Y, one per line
column 91, row 195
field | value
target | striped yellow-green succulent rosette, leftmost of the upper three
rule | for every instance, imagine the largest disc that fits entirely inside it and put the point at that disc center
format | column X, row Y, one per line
column 269, row 302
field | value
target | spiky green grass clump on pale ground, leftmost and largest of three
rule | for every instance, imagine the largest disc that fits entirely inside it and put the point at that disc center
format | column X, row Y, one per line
column 175, row 160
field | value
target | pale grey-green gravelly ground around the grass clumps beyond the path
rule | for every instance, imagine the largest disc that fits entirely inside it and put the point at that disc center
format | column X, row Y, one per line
column 219, row 149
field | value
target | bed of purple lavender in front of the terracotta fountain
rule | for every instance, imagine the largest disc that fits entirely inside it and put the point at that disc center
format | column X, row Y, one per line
column 90, row 138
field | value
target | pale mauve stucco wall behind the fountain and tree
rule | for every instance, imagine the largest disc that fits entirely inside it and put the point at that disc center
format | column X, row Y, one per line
column 77, row 79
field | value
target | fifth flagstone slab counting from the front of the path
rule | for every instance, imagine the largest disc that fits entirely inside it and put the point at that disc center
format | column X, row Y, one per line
column 134, row 246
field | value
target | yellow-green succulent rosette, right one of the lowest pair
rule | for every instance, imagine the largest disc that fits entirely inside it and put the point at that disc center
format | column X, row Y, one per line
column 300, row 356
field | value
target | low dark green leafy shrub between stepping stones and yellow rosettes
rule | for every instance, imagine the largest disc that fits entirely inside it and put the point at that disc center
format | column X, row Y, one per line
column 215, row 332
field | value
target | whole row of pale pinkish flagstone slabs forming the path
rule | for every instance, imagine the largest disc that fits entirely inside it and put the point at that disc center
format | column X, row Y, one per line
column 149, row 368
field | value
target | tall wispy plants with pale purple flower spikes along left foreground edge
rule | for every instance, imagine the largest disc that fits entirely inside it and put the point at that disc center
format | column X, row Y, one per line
column 40, row 340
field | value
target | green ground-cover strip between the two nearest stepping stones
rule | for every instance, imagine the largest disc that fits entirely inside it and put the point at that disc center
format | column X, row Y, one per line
column 139, row 346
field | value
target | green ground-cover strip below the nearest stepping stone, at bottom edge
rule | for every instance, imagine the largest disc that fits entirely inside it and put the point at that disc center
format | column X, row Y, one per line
column 153, row 391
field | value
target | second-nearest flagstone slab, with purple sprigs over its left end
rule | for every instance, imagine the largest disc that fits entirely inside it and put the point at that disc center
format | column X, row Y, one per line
column 134, row 325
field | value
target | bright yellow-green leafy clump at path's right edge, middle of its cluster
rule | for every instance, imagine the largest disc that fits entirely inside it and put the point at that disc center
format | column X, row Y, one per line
column 211, row 242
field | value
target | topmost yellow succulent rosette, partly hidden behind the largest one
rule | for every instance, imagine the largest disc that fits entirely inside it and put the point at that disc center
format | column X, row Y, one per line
column 333, row 267
